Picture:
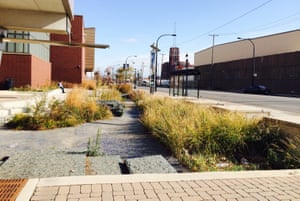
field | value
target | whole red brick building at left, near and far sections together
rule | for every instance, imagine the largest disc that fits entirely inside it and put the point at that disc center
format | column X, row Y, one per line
column 37, row 65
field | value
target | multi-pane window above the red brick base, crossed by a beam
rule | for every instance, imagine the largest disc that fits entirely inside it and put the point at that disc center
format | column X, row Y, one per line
column 18, row 47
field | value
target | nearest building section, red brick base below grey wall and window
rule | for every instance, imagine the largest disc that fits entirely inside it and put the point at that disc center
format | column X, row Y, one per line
column 25, row 64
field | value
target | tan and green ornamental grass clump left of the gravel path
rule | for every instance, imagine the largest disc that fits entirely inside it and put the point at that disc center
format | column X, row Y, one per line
column 78, row 108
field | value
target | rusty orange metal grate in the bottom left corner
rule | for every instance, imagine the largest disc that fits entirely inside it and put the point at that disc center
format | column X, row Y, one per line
column 10, row 188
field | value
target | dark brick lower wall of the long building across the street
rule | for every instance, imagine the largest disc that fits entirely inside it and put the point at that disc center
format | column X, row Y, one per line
column 281, row 73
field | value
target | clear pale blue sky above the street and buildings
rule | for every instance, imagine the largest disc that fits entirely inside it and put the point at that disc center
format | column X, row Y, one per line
column 131, row 26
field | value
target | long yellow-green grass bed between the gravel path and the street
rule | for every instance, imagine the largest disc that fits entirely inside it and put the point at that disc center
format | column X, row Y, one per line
column 205, row 139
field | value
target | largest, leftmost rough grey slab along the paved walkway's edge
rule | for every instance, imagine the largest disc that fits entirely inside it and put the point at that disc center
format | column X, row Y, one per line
column 29, row 164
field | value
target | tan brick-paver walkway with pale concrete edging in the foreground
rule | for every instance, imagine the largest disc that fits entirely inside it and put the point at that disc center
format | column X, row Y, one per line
column 245, row 185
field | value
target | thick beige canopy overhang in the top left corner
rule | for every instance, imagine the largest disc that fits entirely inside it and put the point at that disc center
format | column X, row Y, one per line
column 37, row 15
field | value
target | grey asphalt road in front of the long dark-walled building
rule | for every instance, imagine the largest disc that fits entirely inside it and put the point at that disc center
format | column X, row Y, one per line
column 281, row 103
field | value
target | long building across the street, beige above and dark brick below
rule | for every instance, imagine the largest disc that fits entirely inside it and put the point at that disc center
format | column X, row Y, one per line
column 276, row 63
